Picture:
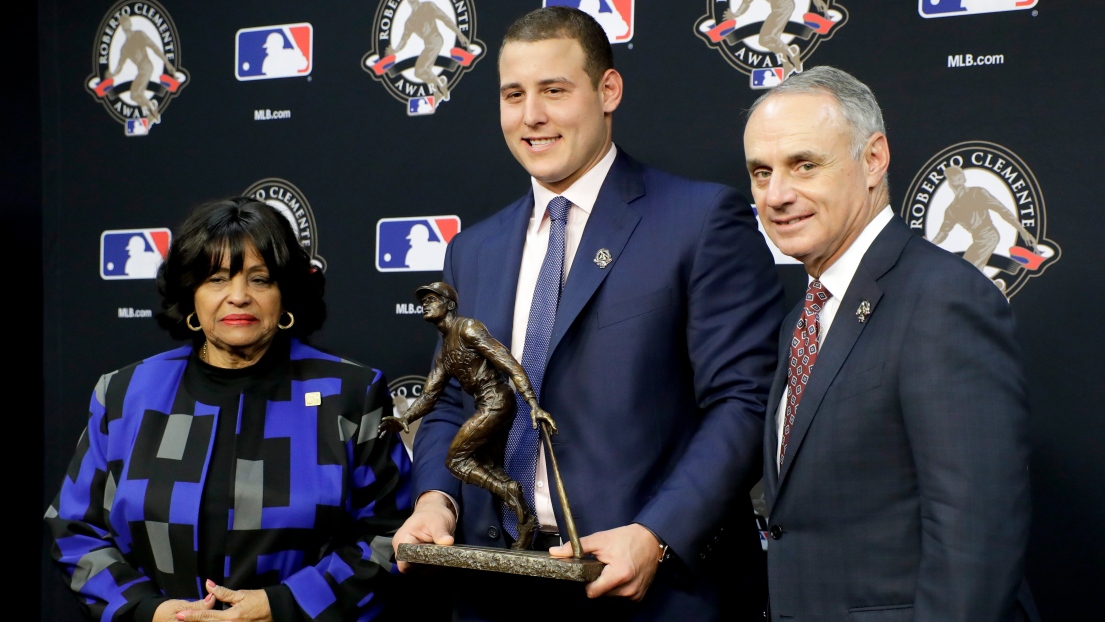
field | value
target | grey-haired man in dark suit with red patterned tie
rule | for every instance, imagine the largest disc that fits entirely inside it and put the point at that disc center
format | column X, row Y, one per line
column 896, row 451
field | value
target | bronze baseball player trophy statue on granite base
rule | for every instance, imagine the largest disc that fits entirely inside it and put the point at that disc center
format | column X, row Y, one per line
column 483, row 367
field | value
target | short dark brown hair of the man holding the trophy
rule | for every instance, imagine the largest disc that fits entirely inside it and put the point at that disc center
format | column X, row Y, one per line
column 565, row 23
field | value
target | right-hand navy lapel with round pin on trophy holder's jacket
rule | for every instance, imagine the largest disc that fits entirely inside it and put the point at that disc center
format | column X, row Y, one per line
column 609, row 227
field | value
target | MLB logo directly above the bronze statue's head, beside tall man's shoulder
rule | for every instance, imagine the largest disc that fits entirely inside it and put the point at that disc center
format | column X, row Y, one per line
column 414, row 245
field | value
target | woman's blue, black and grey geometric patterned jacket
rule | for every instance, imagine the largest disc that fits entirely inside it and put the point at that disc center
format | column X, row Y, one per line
column 317, row 497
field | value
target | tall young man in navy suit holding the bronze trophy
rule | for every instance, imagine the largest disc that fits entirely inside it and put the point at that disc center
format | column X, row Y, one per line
column 658, row 366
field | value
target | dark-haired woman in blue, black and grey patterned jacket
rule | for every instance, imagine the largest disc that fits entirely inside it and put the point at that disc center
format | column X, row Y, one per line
column 243, row 471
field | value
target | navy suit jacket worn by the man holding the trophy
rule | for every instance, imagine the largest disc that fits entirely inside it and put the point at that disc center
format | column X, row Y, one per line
column 657, row 375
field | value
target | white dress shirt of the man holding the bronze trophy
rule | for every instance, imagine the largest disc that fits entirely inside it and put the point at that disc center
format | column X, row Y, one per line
column 583, row 195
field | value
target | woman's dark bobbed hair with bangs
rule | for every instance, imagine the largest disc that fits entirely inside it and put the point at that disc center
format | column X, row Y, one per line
column 230, row 226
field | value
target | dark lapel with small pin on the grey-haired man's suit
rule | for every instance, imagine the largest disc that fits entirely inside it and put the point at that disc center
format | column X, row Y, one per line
column 846, row 331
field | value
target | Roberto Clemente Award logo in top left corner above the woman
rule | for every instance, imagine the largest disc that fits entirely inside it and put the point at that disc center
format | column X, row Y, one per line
column 136, row 66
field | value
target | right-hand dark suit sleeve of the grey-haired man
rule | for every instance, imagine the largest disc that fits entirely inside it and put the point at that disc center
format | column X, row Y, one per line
column 966, row 415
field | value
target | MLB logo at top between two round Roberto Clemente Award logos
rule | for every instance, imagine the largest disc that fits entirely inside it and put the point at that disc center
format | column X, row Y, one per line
column 275, row 51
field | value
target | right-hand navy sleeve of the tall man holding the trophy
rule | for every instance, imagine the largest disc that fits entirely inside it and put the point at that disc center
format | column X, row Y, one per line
column 734, row 311
